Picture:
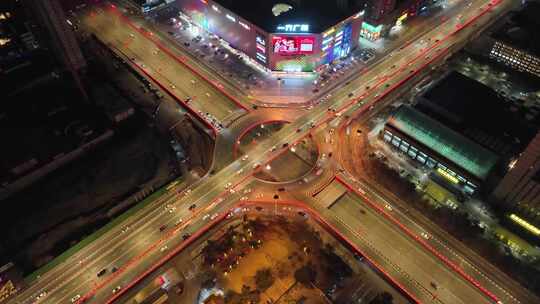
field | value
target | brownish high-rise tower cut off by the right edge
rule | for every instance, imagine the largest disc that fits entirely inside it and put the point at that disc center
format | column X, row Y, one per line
column 521, row 184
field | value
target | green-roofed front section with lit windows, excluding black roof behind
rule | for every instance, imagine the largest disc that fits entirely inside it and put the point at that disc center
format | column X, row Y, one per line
column 459, row 160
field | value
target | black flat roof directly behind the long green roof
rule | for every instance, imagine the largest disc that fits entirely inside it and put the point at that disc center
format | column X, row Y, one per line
column 479, row 113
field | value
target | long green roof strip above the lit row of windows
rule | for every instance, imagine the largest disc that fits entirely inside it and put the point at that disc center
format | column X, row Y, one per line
column 462, row 151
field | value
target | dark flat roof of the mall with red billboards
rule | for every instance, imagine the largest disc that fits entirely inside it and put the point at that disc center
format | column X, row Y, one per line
column 319, row 14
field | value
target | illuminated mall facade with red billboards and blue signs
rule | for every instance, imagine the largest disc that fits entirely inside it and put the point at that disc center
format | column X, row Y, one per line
column 288, row 47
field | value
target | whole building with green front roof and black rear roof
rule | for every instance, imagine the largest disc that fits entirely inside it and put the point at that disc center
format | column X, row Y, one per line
column 463, row 130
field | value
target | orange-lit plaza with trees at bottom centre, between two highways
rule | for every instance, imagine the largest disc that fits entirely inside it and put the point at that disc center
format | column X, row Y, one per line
column 265, row 254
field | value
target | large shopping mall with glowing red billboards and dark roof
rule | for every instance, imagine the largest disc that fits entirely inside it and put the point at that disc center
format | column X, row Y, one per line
column 281, row 35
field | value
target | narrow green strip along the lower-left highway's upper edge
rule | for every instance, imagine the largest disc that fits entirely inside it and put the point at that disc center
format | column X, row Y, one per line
column 92, row 237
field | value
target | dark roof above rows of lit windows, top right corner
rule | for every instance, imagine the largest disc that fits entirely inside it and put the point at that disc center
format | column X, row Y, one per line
column 521, row 29
